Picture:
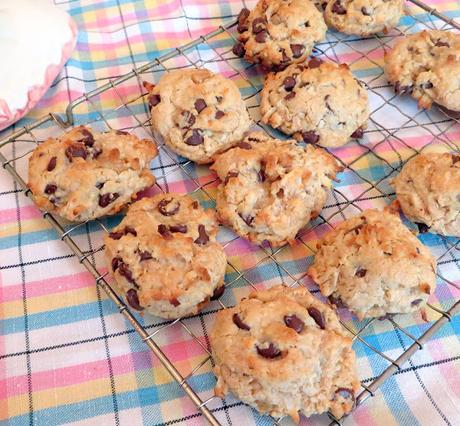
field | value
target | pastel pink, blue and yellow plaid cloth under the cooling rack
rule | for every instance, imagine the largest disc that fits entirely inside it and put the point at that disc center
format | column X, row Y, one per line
column 66, row 353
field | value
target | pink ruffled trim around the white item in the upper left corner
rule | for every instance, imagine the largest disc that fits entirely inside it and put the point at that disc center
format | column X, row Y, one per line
column 8, row 117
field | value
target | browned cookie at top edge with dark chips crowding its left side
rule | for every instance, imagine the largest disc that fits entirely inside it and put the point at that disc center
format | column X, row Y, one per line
column 277, row 33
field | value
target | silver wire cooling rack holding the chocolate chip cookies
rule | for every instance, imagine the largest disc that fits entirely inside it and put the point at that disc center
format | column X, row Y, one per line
column 397, row 131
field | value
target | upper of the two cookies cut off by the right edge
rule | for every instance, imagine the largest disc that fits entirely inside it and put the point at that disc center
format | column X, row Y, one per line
column 427, row 65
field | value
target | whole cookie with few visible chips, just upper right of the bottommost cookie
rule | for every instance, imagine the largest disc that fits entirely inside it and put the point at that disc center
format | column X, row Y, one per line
column 374, row 265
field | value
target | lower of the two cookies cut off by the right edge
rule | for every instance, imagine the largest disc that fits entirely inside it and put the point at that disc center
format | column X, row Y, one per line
column 428, row 191
